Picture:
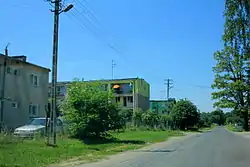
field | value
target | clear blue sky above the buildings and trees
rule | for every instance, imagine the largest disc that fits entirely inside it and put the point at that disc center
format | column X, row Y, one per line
column 156, row 39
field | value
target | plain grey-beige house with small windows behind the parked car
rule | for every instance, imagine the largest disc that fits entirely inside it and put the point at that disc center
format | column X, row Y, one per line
column 24, row 90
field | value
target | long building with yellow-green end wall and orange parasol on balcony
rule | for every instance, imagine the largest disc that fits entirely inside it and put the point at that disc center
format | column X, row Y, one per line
column 130, row 93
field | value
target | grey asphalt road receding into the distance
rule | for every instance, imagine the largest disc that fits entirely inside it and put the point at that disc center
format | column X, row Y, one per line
column 218, row 148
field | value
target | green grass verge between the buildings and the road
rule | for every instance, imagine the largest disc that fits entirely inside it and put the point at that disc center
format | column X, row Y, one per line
column 34, row 153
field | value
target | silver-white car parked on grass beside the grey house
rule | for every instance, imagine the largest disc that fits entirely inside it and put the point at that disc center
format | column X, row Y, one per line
column 36, row 126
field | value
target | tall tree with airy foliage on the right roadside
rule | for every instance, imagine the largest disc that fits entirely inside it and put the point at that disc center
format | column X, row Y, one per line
column 232, row 70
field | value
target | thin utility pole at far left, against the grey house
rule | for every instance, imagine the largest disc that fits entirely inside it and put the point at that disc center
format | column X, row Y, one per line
column 3, row 87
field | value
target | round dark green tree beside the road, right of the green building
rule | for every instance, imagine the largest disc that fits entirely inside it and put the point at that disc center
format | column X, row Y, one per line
column 185, row 114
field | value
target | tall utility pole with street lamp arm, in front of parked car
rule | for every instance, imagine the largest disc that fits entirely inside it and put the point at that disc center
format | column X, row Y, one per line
column 57, row 11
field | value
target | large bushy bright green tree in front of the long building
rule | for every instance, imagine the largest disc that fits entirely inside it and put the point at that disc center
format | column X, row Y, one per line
column 89, row 110
